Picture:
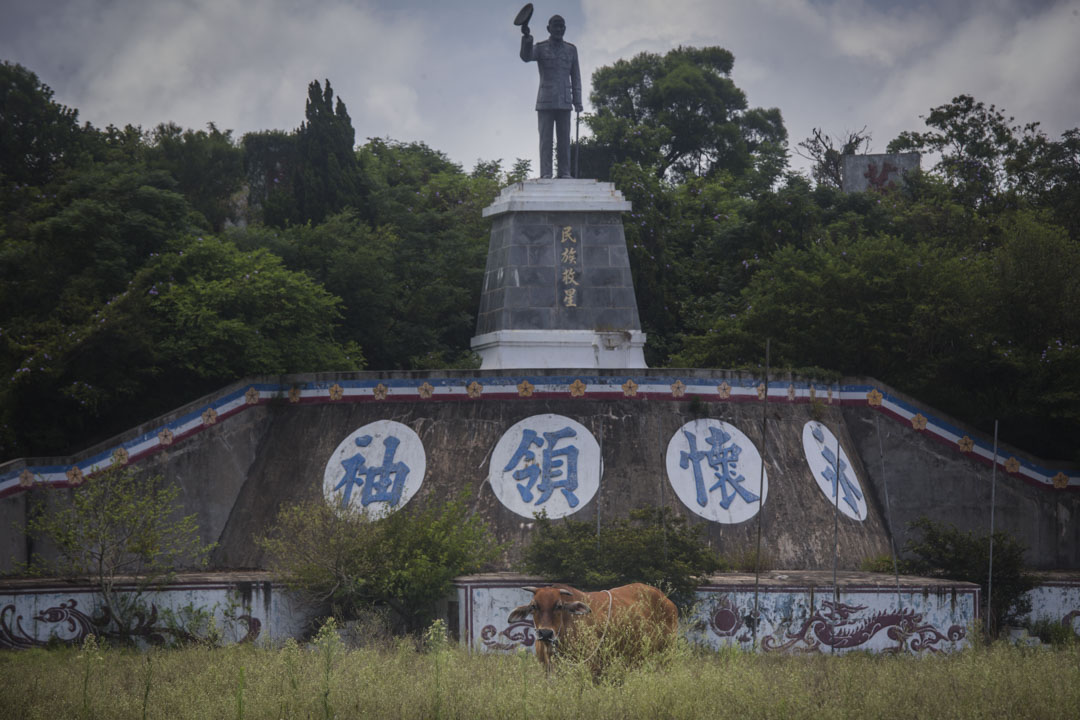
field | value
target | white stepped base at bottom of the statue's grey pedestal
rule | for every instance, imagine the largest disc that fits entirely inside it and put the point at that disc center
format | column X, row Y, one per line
column 559, row 349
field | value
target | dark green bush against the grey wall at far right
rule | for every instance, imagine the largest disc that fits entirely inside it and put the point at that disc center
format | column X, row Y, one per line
column 946, row 552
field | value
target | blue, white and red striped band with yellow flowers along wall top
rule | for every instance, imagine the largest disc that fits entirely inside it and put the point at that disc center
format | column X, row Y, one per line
column 17, row 477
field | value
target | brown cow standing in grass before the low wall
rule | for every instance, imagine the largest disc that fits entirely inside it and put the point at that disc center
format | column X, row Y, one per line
column 637, row 608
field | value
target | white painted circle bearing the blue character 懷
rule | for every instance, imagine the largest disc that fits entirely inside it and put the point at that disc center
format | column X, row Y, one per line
column 717, row 471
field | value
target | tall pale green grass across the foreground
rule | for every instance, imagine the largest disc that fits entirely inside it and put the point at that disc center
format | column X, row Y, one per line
column 401, row 683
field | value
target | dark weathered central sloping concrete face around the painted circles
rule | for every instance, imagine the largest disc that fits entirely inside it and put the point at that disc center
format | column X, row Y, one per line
column 798, row 522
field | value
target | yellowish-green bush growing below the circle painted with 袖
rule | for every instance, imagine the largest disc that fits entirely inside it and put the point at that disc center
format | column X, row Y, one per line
column 347, row 563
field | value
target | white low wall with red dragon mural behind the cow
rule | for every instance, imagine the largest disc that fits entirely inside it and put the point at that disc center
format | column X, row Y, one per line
column 790, row 619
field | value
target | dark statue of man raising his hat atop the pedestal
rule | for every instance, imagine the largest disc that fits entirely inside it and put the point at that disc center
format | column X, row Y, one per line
column 560, row 91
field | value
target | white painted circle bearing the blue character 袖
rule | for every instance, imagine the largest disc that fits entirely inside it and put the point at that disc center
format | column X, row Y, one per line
column 386, row 464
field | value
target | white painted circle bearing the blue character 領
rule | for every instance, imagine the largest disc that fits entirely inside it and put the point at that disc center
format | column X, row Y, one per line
column 547, row 463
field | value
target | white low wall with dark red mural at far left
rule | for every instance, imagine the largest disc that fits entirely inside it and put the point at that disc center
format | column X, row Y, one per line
column 36, row 616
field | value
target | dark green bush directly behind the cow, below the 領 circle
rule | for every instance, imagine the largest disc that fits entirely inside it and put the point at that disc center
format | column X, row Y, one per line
column 653, row 546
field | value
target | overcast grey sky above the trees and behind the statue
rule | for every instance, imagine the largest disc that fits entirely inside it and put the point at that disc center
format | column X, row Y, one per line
column 448, row 73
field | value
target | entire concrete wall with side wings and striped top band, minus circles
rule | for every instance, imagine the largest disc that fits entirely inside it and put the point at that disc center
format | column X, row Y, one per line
column 240, row 454
